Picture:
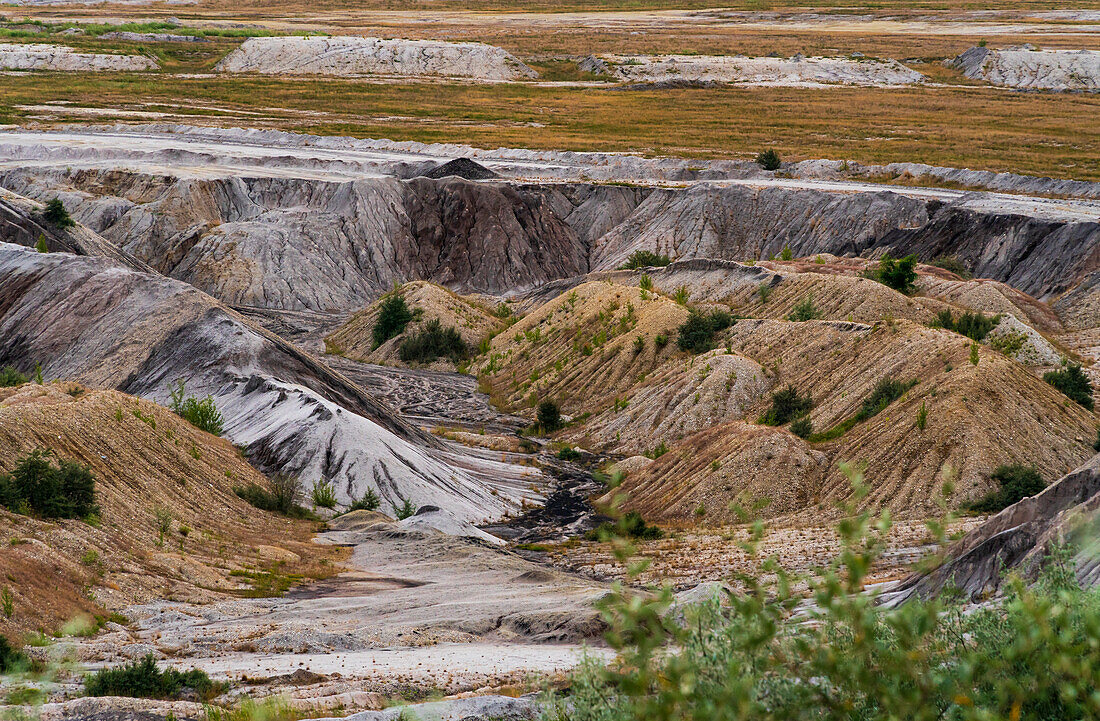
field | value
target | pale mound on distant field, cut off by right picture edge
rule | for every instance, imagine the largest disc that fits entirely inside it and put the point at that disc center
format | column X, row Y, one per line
column 1030, row 69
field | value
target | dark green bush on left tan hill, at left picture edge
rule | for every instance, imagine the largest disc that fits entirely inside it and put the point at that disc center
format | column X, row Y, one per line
column 40, row 488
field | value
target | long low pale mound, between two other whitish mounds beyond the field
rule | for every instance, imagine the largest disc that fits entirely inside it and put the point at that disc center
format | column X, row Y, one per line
column 797, row 71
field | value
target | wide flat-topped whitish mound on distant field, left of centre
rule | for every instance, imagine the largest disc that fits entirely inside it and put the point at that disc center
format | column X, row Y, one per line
column 351, row 57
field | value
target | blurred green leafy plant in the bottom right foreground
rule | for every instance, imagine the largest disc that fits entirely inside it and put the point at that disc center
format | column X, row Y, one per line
column 767, row 652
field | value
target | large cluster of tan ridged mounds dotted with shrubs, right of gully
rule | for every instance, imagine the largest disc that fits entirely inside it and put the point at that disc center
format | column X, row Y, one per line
column 608, row 354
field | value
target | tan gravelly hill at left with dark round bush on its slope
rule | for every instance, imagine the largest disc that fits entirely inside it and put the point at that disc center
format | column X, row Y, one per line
column 145, row 460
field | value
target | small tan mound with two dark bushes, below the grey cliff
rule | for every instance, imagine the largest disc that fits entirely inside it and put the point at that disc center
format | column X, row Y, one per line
column 471, row 319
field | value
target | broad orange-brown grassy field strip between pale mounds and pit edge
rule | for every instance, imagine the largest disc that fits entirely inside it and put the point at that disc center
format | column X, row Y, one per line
column 981, row 128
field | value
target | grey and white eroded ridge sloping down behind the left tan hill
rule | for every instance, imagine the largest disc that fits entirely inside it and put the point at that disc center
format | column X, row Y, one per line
column 96, row 322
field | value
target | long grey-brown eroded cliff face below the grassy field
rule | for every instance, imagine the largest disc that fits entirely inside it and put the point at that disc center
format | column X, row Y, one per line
column 318, row 244
